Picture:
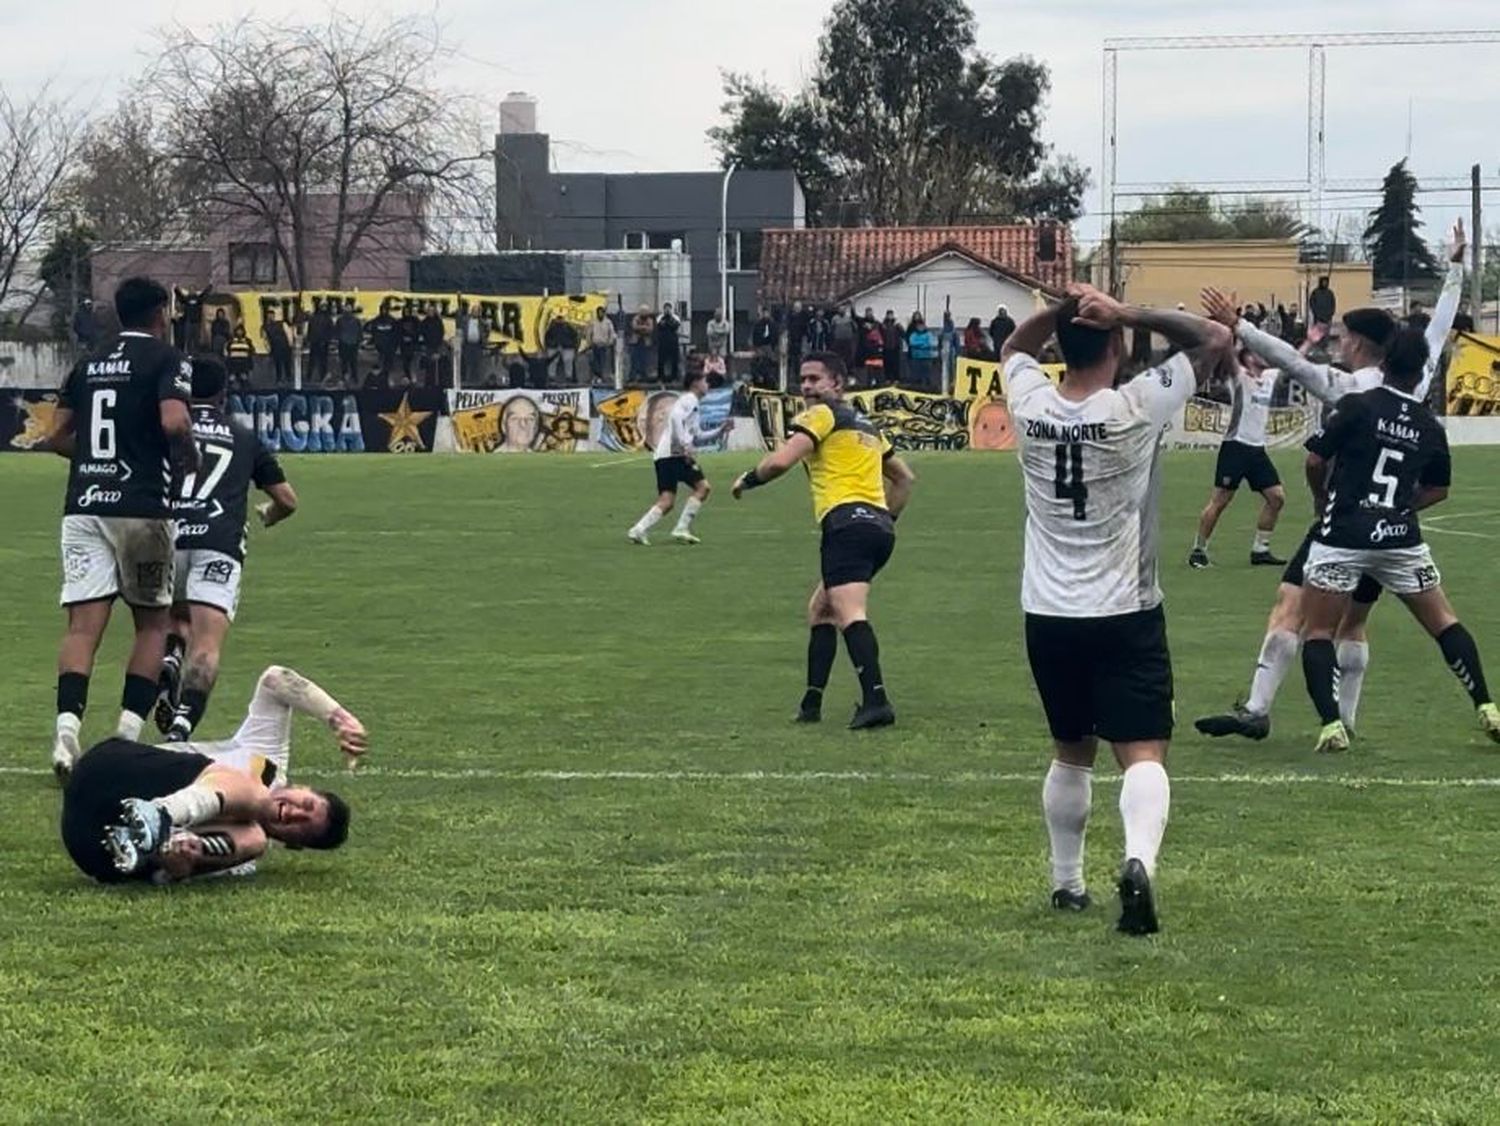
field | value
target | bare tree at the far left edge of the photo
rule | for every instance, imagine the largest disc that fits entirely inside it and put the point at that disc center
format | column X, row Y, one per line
column 38, row 140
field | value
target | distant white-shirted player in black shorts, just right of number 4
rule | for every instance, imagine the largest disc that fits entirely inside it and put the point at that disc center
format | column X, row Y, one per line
column 1243, row 458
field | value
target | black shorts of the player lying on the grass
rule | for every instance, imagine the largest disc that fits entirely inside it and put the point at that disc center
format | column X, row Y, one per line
column 110, row 773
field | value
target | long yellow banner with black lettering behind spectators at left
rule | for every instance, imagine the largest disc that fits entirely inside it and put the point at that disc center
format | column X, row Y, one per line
column 518, row 325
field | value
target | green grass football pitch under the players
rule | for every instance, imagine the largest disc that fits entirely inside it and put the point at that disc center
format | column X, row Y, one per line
column 598, row 875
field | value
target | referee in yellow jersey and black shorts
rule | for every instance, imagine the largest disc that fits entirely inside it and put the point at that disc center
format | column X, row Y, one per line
column 859, row 491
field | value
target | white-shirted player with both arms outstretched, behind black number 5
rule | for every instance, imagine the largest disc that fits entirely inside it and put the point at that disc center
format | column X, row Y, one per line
column 1367, row 338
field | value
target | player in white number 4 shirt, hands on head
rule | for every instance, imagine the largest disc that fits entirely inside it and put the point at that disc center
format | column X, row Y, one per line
column 1096, row 633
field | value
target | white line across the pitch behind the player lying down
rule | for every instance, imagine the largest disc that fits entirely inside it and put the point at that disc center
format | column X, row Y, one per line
column 865, row 777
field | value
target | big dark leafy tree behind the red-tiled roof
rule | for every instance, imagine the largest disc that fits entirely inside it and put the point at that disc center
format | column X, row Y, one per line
column 907, row 122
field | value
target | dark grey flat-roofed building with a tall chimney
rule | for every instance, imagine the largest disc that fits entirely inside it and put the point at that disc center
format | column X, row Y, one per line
column 538, row 209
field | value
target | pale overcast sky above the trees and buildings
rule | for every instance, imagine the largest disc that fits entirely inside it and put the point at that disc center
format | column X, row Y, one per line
column 632, row 86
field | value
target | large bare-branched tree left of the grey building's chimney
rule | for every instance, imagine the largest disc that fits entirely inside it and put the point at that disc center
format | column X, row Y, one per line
column 323, row 136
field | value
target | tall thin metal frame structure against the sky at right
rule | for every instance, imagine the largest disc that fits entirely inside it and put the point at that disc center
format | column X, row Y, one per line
column 1316, row 182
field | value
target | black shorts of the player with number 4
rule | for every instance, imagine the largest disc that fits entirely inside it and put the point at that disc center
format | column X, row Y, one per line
column 1106, row 677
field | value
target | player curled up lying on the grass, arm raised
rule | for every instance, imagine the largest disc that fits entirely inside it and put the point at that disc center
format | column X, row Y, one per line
column 154, row 813
